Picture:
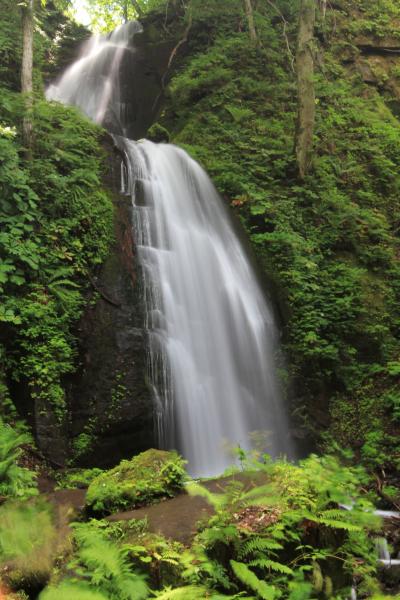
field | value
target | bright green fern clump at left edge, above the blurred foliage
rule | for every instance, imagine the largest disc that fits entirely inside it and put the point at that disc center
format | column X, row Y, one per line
column 15, row 481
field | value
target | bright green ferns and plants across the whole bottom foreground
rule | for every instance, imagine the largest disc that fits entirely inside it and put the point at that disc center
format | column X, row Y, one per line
column 280, row 533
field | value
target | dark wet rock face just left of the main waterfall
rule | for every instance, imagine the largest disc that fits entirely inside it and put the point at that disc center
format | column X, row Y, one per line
column 110, row 406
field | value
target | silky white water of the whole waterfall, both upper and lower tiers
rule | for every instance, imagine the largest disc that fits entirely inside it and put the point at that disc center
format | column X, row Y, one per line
column 211, row 332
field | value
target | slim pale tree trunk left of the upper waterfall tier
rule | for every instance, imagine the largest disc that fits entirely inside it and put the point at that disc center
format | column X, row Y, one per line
column 27, row 71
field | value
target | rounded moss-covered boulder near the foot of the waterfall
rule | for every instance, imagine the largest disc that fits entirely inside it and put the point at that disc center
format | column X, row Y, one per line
column 148, row 477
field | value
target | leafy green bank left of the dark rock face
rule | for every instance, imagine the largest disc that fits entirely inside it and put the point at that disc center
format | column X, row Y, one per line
column 56, row 228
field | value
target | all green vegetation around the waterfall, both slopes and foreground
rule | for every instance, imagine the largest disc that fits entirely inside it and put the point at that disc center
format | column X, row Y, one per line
column 328, row 246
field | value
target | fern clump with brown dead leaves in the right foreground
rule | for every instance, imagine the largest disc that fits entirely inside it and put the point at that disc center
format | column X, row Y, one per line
column 282, row 525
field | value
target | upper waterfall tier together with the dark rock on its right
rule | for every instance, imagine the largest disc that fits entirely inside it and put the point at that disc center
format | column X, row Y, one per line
column 117, row 80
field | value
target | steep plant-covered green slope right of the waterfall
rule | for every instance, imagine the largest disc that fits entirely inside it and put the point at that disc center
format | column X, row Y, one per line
column 328, row 245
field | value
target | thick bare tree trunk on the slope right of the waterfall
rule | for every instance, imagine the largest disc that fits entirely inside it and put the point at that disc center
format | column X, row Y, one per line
column 306, row 87
